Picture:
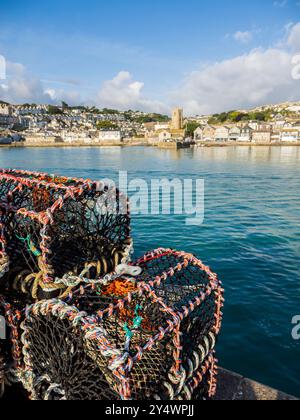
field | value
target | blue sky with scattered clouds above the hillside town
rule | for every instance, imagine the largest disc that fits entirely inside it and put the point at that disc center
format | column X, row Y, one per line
column 148, row 50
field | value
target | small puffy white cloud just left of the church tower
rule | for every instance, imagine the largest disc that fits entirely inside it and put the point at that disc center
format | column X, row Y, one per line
column 124, row 93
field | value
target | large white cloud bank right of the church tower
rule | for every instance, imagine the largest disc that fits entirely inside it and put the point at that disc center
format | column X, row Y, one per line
column 259, row 77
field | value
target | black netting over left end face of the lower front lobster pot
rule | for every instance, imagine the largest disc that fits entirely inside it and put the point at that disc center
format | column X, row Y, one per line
column 62, row 368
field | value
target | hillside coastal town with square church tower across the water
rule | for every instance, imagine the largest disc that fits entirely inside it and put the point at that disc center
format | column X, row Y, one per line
column 33, row 124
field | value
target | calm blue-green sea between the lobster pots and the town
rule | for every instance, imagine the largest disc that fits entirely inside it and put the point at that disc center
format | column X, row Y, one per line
column 250, row 237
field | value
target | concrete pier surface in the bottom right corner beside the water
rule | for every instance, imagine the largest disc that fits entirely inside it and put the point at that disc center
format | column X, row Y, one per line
column 234, row 387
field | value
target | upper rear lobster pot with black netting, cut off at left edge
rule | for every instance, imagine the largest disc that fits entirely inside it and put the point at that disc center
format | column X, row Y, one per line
column 55, row 226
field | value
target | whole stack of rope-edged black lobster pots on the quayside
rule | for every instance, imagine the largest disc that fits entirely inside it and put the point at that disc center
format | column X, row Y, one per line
column 85, row 322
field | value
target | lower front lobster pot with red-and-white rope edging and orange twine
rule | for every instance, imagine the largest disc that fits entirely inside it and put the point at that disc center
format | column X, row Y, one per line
column 152, row 336
